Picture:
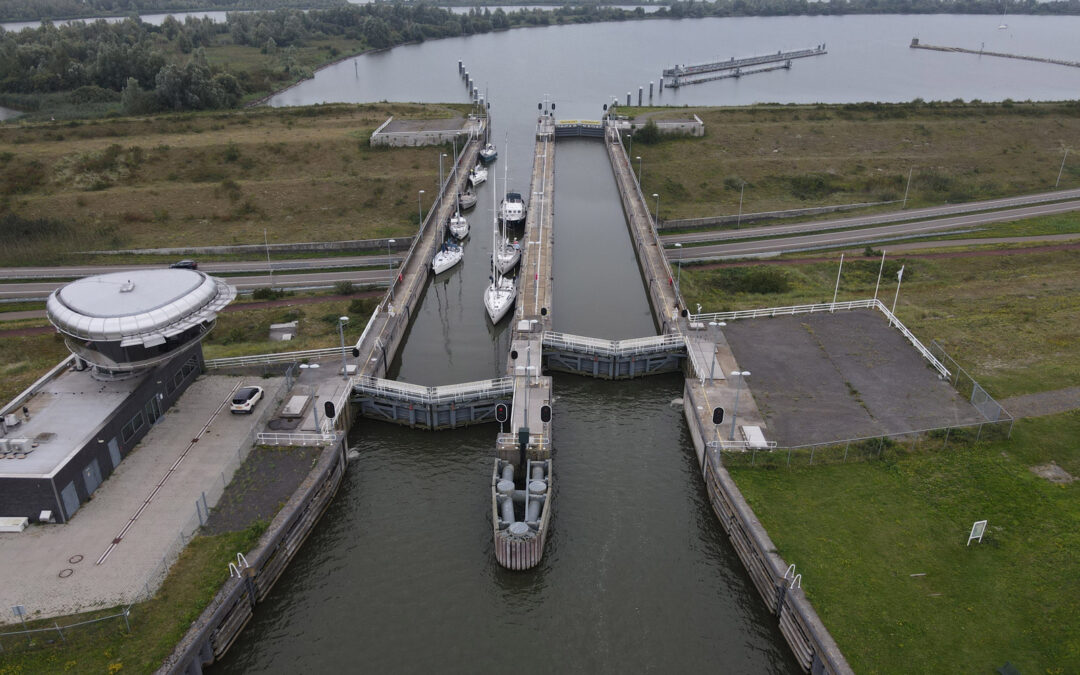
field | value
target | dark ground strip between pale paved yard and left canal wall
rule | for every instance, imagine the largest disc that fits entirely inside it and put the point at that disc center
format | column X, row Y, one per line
column 261, row 487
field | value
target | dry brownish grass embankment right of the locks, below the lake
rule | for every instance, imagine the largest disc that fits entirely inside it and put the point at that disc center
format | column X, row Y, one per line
column 793, row 157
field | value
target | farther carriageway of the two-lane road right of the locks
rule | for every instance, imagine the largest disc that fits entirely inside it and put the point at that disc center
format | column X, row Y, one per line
column 896, row 217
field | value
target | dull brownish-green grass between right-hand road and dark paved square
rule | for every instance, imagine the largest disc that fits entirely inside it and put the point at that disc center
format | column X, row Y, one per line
column 1010, row 320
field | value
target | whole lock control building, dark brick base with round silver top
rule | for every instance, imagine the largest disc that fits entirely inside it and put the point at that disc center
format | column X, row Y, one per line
column 137, row 345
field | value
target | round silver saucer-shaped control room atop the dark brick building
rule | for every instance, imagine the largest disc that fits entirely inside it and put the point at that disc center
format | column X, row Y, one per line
column 126, row 322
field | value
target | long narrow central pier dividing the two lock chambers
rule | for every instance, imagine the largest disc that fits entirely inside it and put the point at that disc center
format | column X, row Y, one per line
column 529, row 440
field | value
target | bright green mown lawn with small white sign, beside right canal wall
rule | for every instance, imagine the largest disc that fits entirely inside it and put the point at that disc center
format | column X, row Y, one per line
column 858, row 533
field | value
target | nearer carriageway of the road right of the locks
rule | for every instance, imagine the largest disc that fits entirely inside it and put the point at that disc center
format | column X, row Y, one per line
column 862, row 237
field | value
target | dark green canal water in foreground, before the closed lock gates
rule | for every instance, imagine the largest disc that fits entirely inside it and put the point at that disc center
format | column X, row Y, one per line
column 400, row 576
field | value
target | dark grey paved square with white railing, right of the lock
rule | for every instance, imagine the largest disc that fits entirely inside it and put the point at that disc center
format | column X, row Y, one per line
column 844, row 375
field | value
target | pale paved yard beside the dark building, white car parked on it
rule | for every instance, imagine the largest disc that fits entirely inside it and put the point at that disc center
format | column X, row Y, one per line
column 32, row 562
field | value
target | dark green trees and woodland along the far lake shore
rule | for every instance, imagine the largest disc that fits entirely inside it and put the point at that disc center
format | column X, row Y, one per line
column 150, row 69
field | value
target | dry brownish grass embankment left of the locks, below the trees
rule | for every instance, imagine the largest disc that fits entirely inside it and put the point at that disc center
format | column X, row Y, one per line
column 304, row 174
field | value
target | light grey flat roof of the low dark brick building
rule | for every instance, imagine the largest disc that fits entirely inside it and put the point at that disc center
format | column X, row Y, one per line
column 65, row 414
